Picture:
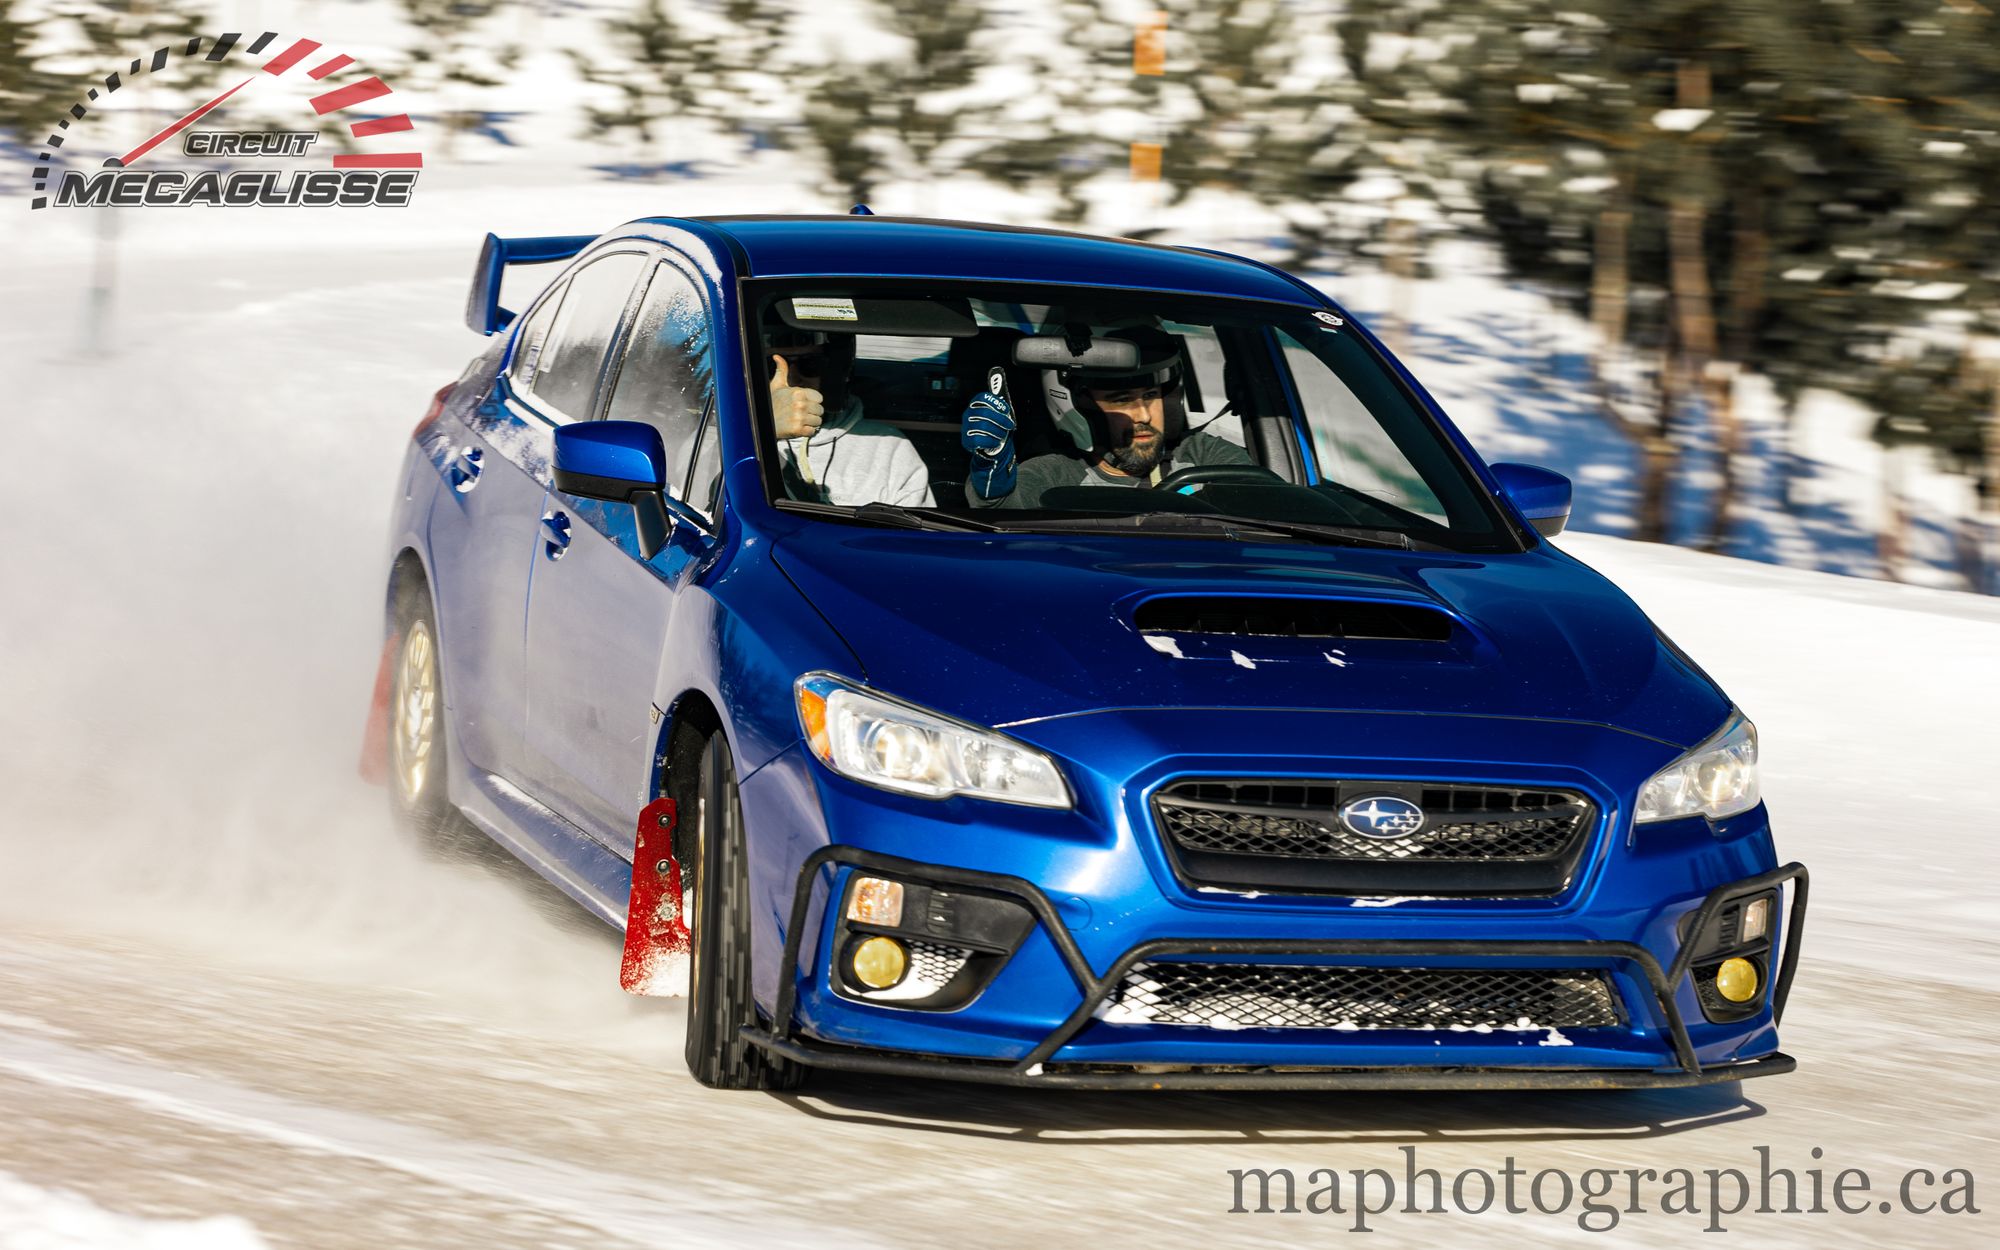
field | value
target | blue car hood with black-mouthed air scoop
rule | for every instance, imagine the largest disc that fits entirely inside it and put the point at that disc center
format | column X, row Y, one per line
column 1023, row 627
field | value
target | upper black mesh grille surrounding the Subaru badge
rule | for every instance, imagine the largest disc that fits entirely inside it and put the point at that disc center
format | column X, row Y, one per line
column 1285, row 835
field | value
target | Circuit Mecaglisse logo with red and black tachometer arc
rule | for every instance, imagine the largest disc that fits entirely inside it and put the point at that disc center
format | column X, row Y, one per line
column 371, row 177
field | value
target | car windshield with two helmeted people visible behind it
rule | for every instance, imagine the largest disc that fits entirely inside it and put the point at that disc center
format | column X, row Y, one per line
column 1089, row 409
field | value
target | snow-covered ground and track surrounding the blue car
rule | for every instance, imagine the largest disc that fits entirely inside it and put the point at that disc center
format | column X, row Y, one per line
column 237, row 1011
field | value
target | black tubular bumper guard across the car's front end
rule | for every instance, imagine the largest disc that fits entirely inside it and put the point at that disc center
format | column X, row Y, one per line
column 1031, row 1071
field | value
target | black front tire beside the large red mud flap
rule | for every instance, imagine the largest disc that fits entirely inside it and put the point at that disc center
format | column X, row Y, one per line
column 719, row 975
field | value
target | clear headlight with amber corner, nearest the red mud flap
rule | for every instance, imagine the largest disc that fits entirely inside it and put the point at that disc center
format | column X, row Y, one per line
column 901, row 747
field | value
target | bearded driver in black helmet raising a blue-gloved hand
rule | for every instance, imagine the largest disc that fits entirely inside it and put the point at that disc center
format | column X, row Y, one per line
column 1135, row 421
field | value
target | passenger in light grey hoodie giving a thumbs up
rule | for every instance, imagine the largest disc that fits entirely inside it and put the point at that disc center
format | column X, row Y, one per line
column 847, row 459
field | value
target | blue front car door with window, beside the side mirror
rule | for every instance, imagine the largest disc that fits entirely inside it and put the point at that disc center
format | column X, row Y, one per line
column 599, row 617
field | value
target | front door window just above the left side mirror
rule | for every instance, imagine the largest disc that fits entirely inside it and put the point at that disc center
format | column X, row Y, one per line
column 667, row 379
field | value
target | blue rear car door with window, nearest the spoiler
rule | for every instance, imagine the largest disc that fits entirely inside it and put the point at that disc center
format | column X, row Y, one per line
column 481, row 551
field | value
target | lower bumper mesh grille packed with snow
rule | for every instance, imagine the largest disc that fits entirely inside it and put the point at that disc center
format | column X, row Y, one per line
column 1357, row 999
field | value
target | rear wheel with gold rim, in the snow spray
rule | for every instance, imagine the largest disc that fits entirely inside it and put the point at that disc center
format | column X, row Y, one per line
column 415, row 741
